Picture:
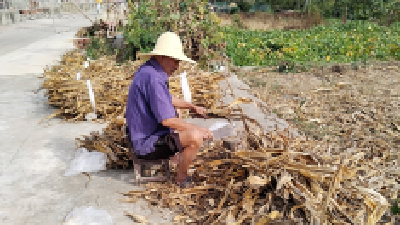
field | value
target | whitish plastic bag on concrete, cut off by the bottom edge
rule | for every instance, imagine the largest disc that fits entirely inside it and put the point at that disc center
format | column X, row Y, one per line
column 88, row 215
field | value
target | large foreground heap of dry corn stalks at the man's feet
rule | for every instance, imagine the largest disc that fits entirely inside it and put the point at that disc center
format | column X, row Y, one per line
column 275, row 179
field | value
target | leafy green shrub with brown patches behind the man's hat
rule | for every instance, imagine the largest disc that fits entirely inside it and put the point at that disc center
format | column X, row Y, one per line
column 197, row 27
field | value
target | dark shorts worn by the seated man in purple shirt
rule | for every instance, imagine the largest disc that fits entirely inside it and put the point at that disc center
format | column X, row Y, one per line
column 165, row 147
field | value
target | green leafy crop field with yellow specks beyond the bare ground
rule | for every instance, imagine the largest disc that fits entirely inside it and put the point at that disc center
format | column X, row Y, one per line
column 357, row 41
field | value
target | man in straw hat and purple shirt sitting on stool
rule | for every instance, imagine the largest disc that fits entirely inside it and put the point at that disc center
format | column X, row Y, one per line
column 155, row 131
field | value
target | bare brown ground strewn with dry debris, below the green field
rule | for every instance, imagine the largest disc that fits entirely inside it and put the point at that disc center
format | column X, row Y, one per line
column 351, row 107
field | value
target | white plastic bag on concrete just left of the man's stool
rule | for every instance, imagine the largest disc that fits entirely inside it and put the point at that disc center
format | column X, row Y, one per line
column 85, row 161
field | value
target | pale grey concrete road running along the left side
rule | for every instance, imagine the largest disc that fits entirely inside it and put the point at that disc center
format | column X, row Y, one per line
column 34, row 156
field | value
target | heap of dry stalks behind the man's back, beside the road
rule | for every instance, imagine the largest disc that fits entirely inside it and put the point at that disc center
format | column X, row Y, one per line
column 70, row 94
